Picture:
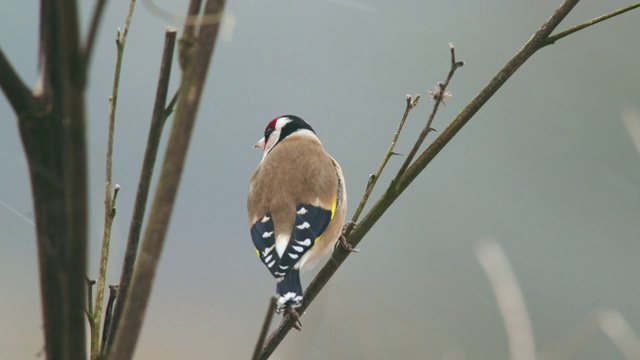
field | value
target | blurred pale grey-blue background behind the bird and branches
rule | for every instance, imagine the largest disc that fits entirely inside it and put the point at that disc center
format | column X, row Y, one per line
column 547, row 169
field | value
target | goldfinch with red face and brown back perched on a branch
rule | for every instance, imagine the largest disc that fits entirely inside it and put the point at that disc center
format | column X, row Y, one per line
column 297, row 203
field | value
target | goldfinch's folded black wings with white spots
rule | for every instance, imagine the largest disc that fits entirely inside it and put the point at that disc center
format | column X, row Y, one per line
column 311, row 221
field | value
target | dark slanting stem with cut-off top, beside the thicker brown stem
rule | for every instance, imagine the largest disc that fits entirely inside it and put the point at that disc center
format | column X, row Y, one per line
column 148, row 164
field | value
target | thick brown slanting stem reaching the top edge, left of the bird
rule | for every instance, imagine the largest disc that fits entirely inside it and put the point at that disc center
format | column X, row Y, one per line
column 192, row 85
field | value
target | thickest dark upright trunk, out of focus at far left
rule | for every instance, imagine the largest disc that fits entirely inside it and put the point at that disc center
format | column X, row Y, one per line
column 53, row 135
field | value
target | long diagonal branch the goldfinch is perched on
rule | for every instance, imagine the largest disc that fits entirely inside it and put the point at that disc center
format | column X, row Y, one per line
column 396, row 188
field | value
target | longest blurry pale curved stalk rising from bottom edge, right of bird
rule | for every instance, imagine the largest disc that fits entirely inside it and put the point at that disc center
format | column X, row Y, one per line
column 510, row 300
